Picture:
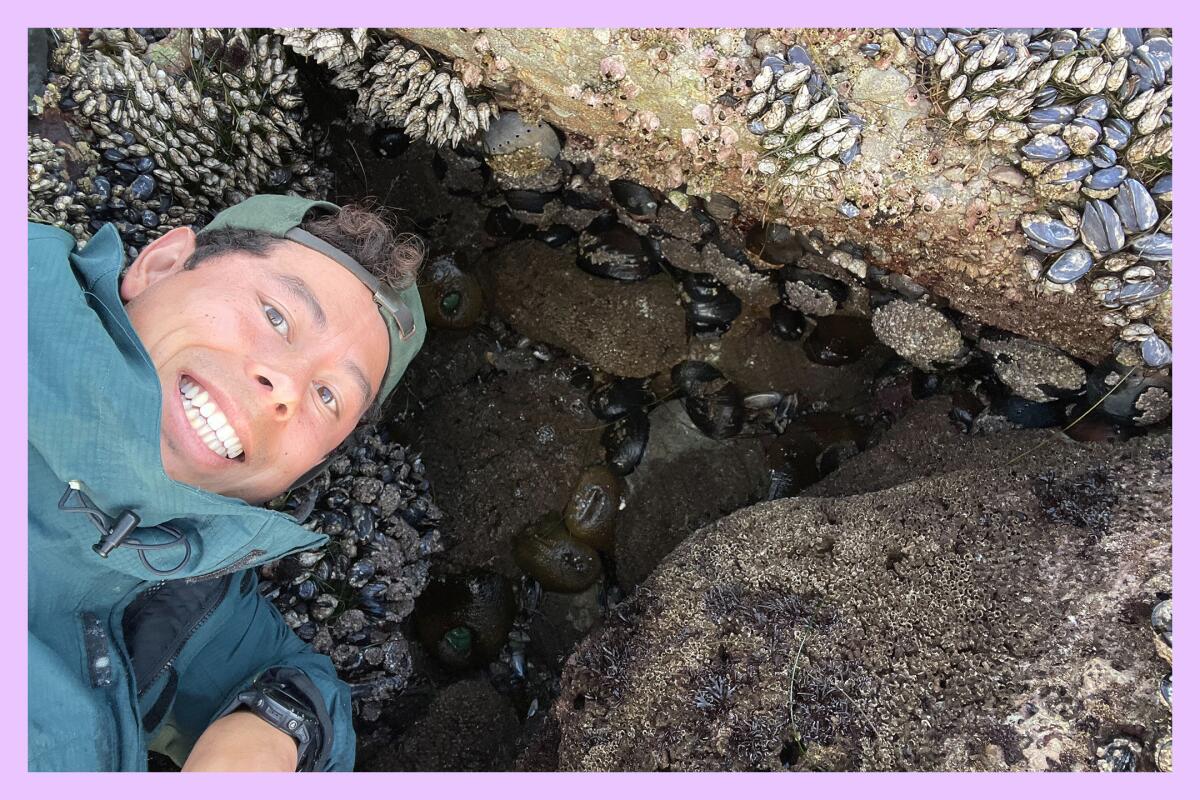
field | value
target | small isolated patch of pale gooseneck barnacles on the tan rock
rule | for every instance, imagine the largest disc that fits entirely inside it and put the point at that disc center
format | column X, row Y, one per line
column 806, row 129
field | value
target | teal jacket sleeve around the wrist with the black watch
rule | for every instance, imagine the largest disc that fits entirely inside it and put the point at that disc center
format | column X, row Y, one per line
column 248, row 641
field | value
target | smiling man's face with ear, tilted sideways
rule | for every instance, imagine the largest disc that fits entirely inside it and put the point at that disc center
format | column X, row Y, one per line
column 289, row 347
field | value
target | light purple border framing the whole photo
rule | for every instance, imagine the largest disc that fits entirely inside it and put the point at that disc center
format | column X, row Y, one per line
column 824, row 14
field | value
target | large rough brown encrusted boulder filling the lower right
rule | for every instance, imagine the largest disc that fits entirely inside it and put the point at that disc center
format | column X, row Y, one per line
column 938, row 613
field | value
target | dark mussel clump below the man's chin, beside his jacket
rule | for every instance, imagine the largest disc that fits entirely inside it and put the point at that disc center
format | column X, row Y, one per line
column 350, row 599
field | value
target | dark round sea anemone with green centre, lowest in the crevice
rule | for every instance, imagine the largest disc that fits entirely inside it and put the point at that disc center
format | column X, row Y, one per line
column 465, row 621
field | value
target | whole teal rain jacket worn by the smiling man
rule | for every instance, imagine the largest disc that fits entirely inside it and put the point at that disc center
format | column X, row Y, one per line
column 121, row 659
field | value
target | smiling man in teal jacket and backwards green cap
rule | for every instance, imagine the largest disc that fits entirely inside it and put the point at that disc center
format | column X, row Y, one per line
column 166, row 404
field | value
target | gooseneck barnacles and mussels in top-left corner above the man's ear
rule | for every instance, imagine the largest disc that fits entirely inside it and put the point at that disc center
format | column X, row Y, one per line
column 165, row 134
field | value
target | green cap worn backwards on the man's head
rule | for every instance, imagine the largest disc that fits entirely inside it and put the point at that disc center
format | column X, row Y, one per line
column 281, row 215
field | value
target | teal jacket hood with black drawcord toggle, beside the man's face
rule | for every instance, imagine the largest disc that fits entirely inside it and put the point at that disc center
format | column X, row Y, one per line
column 95, row 414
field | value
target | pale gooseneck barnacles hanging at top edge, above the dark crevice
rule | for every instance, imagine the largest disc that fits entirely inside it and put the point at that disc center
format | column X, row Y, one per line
column 398, row 86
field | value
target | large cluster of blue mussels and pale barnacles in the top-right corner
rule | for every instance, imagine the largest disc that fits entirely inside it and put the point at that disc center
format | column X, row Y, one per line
column 1088, row 115
